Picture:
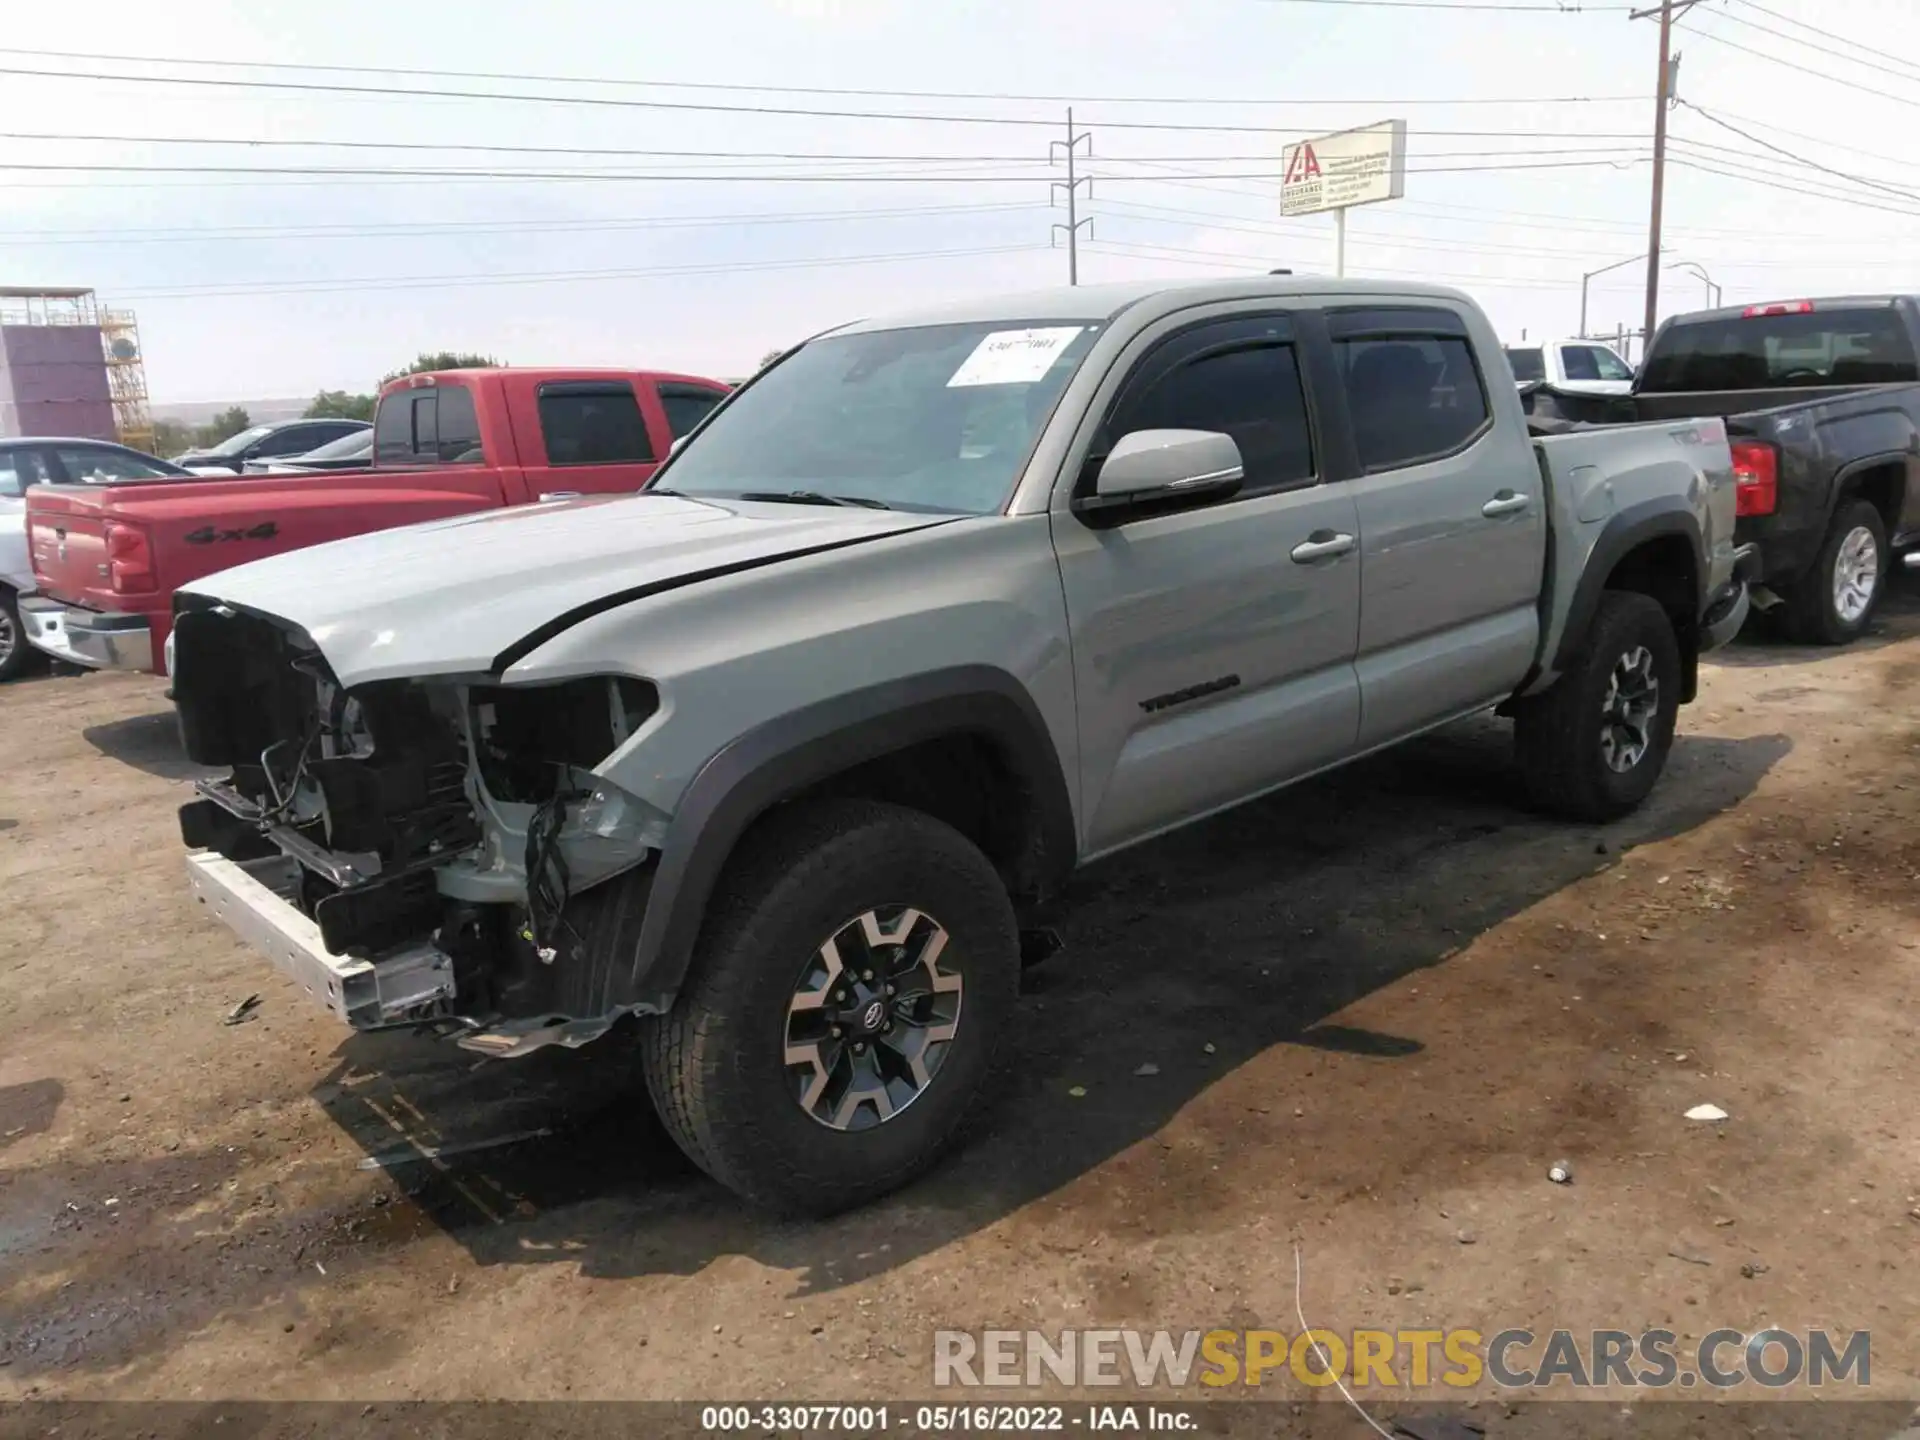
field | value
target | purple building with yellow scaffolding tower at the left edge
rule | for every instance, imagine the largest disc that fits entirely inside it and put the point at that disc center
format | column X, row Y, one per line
column 70, row 368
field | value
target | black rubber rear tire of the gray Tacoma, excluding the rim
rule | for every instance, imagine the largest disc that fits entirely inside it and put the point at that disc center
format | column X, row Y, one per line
column 1560, row 734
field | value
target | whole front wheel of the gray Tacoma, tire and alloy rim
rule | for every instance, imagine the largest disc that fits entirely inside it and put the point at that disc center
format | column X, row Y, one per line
column 855, row 974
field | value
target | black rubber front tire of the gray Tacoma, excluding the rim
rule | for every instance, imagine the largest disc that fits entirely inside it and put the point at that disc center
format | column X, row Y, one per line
column 715, row 1063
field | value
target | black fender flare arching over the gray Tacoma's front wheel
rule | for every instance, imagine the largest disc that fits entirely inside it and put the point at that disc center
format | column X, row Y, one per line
column 796, row 752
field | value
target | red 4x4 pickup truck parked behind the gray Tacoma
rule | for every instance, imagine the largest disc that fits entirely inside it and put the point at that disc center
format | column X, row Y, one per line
column 107, row 560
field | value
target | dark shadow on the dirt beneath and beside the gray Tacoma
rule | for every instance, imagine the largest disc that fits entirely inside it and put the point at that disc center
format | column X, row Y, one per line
column 1186, row 959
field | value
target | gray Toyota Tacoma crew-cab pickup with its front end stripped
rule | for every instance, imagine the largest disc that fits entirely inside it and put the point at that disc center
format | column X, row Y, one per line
column 780, row 754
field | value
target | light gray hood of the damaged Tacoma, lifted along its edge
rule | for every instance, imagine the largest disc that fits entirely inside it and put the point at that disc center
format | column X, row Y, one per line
column 452, row 596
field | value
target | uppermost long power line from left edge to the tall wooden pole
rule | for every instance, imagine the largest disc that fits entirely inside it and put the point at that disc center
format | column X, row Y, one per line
column 798, row 89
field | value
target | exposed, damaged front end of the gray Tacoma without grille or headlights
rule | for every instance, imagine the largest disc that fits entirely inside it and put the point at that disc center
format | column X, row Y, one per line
column 414, row 852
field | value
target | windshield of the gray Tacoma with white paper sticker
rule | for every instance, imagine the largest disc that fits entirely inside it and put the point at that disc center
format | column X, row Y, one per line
column 928, row 420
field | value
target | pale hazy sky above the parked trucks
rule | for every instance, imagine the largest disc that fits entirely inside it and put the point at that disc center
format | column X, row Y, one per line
column 667, row 191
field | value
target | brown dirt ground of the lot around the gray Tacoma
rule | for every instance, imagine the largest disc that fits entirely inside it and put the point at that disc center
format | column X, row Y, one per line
column 1381, row 1007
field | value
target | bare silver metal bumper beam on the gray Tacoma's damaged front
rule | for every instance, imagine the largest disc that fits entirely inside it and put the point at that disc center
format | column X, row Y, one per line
column 408, row 986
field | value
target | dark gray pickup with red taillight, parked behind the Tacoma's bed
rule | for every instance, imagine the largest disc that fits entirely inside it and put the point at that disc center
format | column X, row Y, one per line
column 1823, row 412
